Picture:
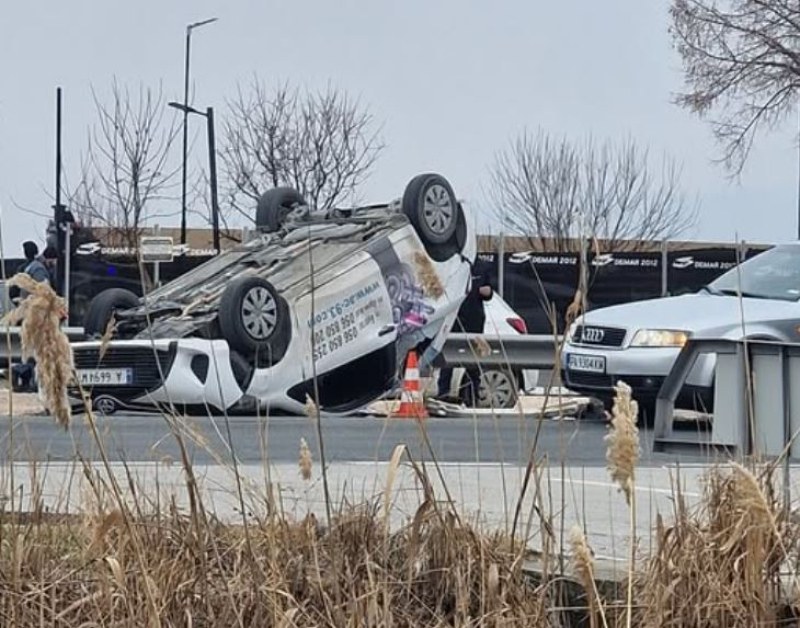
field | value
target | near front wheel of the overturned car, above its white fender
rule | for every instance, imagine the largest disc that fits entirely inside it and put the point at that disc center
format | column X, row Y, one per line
column 255, row 320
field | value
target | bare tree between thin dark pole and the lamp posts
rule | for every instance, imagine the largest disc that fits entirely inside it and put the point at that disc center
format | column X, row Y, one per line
column 125, row 169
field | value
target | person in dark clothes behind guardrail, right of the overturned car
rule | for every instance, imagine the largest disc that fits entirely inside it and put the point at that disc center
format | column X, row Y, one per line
column 471, row 319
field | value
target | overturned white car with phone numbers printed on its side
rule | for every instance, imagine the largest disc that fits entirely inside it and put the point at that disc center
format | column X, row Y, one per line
column 325, row 306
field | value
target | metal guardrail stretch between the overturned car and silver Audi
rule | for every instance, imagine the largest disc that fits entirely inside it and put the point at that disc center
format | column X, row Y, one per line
column 525, row 351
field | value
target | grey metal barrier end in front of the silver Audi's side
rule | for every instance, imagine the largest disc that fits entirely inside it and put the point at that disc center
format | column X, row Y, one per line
column 756, row 408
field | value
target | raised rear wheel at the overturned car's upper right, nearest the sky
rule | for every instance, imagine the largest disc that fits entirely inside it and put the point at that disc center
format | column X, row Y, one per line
column 433, row 209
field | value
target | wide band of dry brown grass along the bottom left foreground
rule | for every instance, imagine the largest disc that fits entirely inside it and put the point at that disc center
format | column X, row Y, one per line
column 433, row 571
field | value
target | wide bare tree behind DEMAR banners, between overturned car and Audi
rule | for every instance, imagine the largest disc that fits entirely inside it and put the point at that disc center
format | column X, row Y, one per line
column 555, row 191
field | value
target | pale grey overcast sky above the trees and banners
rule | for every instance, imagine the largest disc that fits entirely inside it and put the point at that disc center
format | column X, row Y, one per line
column 451, row 81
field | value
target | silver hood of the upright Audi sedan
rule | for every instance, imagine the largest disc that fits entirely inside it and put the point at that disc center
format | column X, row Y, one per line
column 701, row 314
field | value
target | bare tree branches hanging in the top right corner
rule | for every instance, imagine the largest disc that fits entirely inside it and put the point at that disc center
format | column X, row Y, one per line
column 741, row 58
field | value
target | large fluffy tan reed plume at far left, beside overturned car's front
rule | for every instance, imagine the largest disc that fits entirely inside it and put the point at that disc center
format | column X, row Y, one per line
column 41, row 312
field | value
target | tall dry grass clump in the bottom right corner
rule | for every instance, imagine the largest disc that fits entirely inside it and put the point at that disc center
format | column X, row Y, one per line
column 728, row 562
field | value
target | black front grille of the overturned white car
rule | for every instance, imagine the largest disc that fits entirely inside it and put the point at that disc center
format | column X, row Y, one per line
column 149, row 365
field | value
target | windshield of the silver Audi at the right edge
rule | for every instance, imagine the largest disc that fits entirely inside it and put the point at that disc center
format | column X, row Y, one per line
column 774, row 274
